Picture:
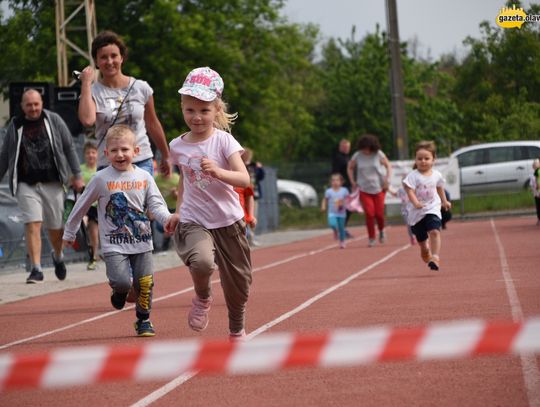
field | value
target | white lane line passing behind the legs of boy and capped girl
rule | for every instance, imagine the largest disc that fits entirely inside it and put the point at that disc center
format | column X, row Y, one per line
column 165, row 297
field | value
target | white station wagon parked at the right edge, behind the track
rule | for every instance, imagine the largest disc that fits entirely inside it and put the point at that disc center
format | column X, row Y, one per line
column 501, row 166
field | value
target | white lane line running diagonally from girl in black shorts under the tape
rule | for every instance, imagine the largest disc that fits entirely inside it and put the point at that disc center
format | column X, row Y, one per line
column 170, row 386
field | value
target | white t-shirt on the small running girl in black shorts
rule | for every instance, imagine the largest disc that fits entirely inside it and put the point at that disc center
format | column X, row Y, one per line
column 425, row 188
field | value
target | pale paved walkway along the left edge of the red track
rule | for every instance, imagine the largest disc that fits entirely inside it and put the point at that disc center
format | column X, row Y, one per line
column 13, row 285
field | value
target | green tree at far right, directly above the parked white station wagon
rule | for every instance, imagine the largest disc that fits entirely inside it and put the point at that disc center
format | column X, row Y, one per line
column 498, row 84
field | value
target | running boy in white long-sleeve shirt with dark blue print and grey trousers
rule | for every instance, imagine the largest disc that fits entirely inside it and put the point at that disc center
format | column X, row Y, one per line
column 124, row 193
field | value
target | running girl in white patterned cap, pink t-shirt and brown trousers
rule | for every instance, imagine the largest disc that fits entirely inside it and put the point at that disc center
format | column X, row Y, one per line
column 208, row 225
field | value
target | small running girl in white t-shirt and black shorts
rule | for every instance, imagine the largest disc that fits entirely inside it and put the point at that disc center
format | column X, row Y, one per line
column 425, row 189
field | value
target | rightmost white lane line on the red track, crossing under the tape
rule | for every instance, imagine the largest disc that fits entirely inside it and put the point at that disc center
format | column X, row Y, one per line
column 531, row 375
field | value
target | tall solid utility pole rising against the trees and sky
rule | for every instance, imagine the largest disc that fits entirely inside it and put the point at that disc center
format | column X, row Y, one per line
column 401, row 143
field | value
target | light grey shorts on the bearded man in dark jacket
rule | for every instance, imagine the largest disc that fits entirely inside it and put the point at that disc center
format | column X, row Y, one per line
column 42, row 202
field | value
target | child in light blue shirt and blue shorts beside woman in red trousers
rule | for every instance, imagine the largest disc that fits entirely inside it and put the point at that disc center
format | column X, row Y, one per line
column 334, row 203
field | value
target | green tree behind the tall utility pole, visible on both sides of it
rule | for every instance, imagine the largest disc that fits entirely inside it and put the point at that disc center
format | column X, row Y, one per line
column 357, row 96
